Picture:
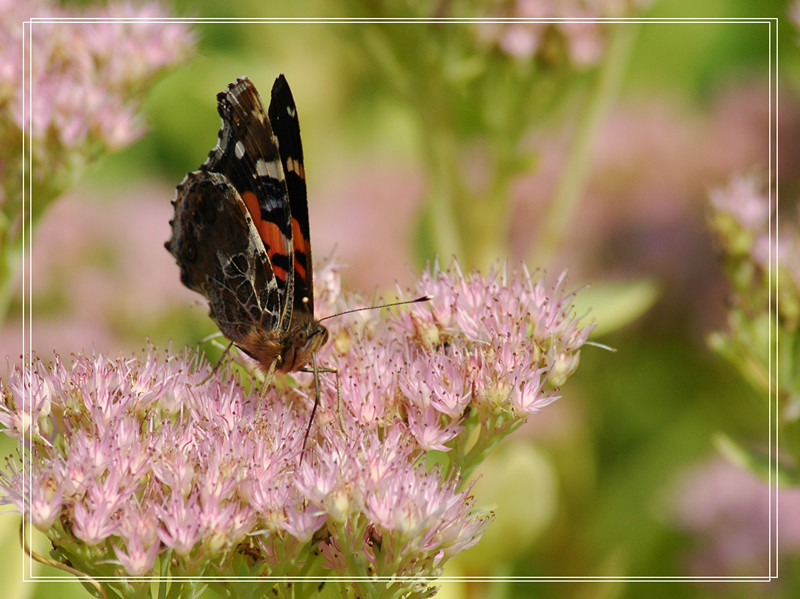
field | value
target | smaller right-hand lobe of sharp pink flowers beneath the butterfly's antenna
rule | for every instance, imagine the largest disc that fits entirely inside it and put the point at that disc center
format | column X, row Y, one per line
column 484, row 354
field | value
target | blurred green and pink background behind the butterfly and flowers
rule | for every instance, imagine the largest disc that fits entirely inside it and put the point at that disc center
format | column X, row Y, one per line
column 603, row 482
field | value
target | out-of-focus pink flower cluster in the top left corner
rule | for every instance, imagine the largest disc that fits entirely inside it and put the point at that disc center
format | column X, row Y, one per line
column 86, row 78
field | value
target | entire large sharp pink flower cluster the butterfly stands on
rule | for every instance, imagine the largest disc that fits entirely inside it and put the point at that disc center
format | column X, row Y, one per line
column 136, row 460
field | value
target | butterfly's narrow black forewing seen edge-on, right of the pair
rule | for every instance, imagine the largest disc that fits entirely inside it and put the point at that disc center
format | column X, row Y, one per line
column 286, row 126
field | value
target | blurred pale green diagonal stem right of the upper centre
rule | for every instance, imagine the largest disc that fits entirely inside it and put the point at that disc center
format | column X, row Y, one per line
column 573, row 179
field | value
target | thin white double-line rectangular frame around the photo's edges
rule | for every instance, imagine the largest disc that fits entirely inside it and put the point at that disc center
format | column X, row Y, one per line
column 773, row 411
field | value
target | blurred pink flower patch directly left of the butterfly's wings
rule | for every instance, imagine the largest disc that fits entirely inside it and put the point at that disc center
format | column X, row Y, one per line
column 100, row 276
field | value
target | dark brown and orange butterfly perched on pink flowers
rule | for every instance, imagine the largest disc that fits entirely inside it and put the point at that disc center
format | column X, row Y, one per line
column 240, row 233
